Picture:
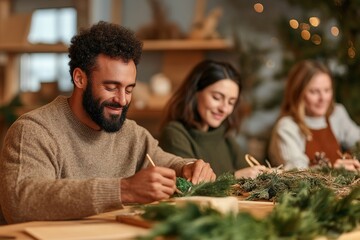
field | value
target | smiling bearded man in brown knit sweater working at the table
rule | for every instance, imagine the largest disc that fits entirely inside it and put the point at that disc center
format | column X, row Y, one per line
column 80, row 156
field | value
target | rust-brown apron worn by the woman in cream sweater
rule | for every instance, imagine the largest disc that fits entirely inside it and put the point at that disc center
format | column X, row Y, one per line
column 323, row 147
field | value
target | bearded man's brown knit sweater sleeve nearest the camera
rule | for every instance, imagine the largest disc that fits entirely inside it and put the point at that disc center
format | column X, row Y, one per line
column 31, row 185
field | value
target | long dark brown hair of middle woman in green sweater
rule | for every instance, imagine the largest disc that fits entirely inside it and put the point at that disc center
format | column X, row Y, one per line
column 183, row 104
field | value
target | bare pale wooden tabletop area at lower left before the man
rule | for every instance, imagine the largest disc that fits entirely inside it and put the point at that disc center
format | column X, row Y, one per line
column 102, row 226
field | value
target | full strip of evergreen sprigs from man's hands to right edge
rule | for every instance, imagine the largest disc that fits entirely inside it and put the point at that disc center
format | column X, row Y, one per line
column 269, row 186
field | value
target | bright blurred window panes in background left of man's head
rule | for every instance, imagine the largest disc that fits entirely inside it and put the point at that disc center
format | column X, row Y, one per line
column 48, row 26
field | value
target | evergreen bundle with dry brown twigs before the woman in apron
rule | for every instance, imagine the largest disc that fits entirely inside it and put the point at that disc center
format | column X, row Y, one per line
column 269, row 186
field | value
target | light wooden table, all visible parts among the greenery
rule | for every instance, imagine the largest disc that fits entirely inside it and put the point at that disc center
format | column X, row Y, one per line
column 105, row 227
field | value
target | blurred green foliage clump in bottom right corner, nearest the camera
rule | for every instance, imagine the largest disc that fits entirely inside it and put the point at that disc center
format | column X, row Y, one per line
column 316, row 213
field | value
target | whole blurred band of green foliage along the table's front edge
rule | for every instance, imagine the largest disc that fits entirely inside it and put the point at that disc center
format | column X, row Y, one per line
column 305, row 215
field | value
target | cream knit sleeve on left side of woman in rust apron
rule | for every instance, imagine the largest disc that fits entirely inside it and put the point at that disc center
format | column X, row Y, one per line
column 287, row 145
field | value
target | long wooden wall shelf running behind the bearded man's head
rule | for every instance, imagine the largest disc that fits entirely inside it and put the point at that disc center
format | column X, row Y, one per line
column 149, row 45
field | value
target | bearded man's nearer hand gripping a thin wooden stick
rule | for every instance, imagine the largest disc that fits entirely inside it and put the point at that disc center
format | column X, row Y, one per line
column 148, row 185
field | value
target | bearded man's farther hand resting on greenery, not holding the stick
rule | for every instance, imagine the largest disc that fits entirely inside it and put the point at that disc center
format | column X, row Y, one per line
column 198, row 171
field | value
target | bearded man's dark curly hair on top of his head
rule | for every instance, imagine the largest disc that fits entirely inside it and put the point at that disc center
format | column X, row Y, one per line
column 105, row 38
